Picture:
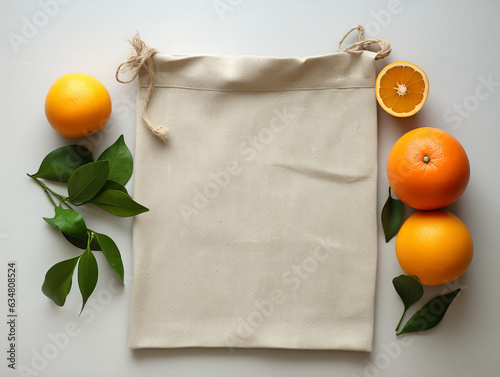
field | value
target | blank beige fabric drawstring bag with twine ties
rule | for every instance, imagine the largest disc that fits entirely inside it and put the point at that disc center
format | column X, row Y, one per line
column 263, row 227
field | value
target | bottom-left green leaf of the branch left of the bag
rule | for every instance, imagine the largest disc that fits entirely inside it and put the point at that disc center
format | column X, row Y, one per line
column 58, row 280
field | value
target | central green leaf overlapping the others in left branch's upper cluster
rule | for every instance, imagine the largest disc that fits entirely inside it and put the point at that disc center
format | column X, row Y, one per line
column 87, row 181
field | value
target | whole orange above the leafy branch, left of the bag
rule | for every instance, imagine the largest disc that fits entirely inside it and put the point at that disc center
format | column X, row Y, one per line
column 77, row 105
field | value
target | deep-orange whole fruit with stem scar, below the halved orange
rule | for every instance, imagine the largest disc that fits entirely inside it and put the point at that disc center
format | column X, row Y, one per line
column 428, row 168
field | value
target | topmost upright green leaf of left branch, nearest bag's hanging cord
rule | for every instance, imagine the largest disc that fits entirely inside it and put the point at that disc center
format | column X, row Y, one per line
column 120, row 161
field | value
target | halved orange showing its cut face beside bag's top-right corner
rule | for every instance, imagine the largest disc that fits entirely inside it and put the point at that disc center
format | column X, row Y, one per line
column 402, row 89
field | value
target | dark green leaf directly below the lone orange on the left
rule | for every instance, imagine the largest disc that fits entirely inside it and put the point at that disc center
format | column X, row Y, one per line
column 59, row 164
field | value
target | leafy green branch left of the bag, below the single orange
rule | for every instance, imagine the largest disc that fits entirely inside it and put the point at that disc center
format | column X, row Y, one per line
column 99, row 182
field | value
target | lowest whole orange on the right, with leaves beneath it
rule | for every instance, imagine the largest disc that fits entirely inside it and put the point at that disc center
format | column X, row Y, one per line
column 434, row 246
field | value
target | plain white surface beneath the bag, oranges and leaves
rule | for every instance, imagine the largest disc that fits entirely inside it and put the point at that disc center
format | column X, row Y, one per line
column 455, row 42
